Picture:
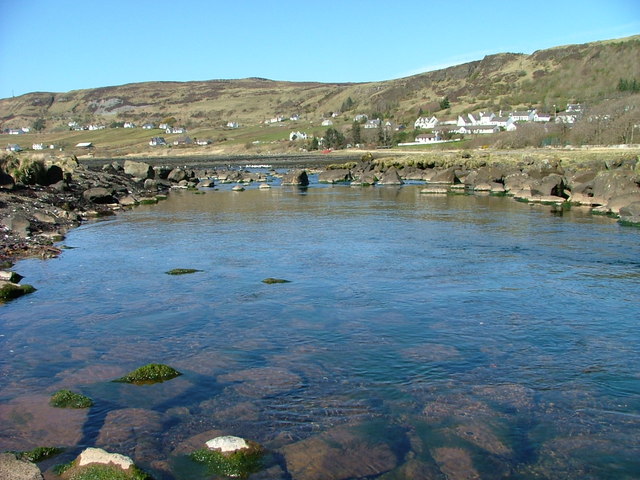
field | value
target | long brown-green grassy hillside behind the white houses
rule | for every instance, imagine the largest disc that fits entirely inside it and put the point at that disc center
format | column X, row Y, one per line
column 587, row 73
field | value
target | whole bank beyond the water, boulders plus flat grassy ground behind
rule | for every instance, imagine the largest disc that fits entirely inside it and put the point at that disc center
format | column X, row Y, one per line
column 41, row 198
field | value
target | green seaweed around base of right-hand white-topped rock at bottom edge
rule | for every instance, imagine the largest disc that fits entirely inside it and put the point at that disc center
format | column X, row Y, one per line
column 238, row 464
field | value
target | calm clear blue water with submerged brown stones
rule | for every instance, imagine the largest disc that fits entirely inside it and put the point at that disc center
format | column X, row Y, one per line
column 419, row 336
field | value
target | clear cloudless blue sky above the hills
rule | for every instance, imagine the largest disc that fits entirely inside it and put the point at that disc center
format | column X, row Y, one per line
column 62, row 45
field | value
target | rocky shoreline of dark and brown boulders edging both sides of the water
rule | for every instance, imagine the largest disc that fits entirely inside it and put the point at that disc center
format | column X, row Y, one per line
column 40, row 200
